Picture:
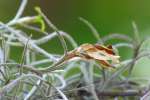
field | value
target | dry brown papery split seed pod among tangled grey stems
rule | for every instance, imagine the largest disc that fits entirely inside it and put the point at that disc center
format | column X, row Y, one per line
column 104, row 55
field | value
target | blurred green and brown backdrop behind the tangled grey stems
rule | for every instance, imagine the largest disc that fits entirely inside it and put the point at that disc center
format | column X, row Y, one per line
column 108, row 16
